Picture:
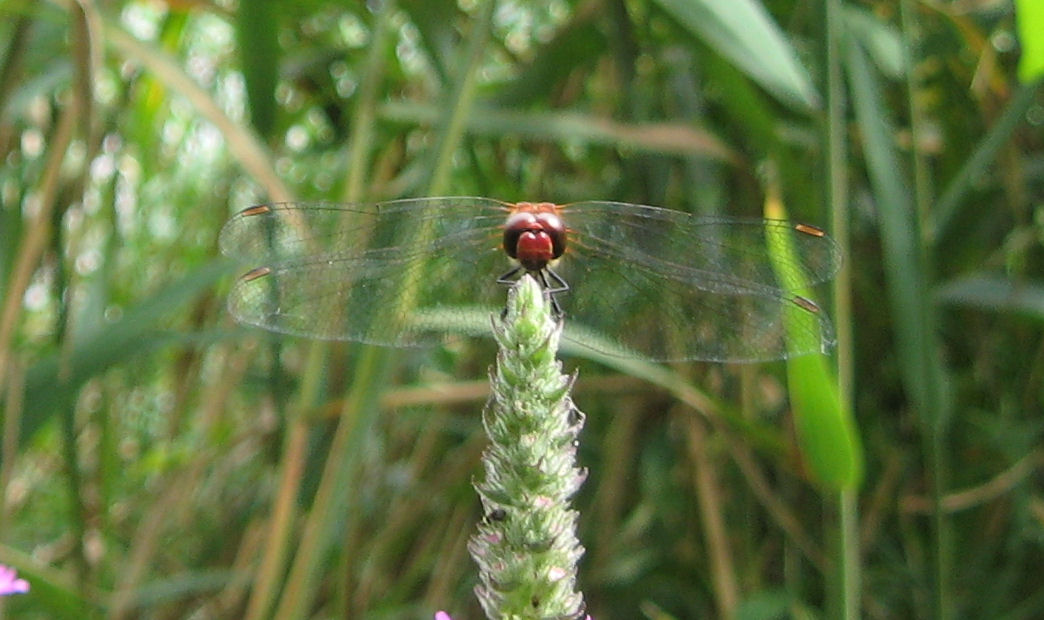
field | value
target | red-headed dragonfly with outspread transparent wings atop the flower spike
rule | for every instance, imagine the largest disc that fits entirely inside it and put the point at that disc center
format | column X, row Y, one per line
column 627, row 280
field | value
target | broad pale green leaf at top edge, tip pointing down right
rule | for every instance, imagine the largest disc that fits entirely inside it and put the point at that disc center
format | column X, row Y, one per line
column 743, row 32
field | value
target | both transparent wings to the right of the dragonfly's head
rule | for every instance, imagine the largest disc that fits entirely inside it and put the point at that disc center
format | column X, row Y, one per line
column 667, row 285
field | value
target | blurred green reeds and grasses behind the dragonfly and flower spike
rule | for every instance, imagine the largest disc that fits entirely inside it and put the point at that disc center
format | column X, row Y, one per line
column 160, row 462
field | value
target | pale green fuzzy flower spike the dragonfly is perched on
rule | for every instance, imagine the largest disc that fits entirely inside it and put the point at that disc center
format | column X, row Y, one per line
column 527, row 546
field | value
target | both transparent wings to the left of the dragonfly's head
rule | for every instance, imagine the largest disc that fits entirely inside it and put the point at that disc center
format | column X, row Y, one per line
column 390, row 274
